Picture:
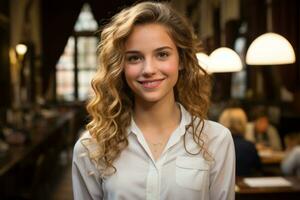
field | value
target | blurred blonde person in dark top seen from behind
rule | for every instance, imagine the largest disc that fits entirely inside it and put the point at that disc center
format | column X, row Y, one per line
column 247, row 159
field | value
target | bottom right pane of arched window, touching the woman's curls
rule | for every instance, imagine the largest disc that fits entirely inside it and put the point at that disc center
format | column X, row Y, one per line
column 84, row 78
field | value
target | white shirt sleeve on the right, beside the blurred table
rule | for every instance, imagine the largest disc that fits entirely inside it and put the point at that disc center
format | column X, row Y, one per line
column 222, row 177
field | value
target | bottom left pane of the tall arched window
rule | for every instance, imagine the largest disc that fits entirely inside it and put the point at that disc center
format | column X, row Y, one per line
column 65, row 85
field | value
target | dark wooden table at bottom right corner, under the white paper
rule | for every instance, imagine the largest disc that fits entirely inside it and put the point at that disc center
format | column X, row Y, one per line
column 245, row 192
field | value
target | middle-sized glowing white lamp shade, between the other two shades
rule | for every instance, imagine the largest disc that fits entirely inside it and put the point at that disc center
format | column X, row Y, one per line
column 224, row 59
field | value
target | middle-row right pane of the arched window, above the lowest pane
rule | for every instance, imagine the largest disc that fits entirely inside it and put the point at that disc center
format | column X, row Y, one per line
column 87, row 57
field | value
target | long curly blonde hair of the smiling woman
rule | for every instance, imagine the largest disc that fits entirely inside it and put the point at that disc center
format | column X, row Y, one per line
column 111, row 107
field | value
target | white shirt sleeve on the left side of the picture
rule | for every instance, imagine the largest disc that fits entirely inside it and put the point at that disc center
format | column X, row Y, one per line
column 87, row 184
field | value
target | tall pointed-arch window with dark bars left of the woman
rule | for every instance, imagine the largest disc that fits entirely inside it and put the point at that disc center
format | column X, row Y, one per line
column 78, row 63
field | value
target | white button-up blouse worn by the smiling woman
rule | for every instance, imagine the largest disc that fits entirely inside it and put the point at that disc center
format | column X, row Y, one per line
column 175, row 175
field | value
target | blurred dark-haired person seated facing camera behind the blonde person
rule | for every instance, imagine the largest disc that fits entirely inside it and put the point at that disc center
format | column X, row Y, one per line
column 261, row 132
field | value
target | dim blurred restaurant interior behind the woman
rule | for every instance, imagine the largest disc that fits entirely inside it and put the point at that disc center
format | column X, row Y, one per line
column 250, row 48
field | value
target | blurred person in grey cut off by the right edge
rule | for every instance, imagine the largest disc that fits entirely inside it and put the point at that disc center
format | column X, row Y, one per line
column 290, row 165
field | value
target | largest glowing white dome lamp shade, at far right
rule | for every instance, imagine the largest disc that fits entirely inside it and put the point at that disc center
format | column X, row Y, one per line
column 270, row 49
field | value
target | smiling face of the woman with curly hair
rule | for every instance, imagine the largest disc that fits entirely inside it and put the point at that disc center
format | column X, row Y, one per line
column 151, row 63
